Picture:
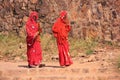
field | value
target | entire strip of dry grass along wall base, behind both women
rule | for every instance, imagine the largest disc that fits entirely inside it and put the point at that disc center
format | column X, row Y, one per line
column 12, row 46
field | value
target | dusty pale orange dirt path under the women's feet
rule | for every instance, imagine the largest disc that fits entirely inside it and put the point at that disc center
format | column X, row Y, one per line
column 99, row 66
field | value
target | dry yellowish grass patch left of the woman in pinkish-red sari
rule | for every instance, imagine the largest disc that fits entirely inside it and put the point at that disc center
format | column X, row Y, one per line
column 12, row 46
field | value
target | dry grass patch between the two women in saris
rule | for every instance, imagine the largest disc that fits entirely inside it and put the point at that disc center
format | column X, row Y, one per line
column 49, row 47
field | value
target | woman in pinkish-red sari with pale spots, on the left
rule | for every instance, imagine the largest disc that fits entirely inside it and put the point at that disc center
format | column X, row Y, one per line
column 34, row 51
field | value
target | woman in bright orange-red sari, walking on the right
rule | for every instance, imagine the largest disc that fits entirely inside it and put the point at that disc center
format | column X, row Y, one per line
column 61, row 29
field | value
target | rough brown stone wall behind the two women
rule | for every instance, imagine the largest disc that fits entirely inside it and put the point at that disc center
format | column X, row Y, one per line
column 89, row 18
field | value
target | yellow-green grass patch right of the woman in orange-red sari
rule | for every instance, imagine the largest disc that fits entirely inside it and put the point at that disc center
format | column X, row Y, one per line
column 86, row 46
